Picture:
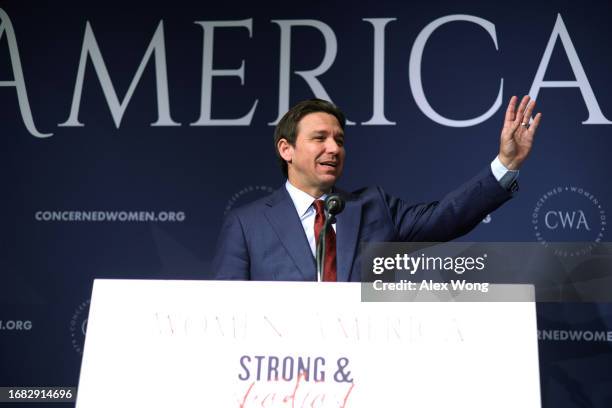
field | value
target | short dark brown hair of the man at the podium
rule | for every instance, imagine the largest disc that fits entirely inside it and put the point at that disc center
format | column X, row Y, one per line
column 287, row 127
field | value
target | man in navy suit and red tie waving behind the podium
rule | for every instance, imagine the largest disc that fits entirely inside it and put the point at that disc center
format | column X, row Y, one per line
column 274, row 239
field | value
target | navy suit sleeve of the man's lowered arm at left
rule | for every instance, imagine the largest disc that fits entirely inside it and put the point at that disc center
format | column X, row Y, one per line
column 231, row 260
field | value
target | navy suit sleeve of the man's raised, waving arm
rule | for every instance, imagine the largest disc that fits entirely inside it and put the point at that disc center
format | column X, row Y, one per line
column 453, row 216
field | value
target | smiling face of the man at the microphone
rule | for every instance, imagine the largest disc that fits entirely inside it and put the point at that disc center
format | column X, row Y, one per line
column 317, row 159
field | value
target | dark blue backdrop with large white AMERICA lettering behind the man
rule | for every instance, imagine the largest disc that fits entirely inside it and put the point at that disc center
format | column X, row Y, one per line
column 196, row 172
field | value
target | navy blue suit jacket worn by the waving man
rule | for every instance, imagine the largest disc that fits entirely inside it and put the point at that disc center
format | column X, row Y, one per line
column 265, row 240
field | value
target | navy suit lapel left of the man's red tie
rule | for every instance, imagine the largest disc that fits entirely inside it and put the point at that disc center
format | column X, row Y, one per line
column 286, row 223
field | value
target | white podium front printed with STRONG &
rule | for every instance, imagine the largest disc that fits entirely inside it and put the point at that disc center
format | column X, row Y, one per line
column 218, row 344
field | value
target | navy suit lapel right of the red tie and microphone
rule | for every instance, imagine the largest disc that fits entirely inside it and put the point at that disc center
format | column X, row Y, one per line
column 347, row 232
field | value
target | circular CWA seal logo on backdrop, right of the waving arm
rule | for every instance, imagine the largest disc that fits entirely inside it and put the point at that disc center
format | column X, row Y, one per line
column 569, row 214
